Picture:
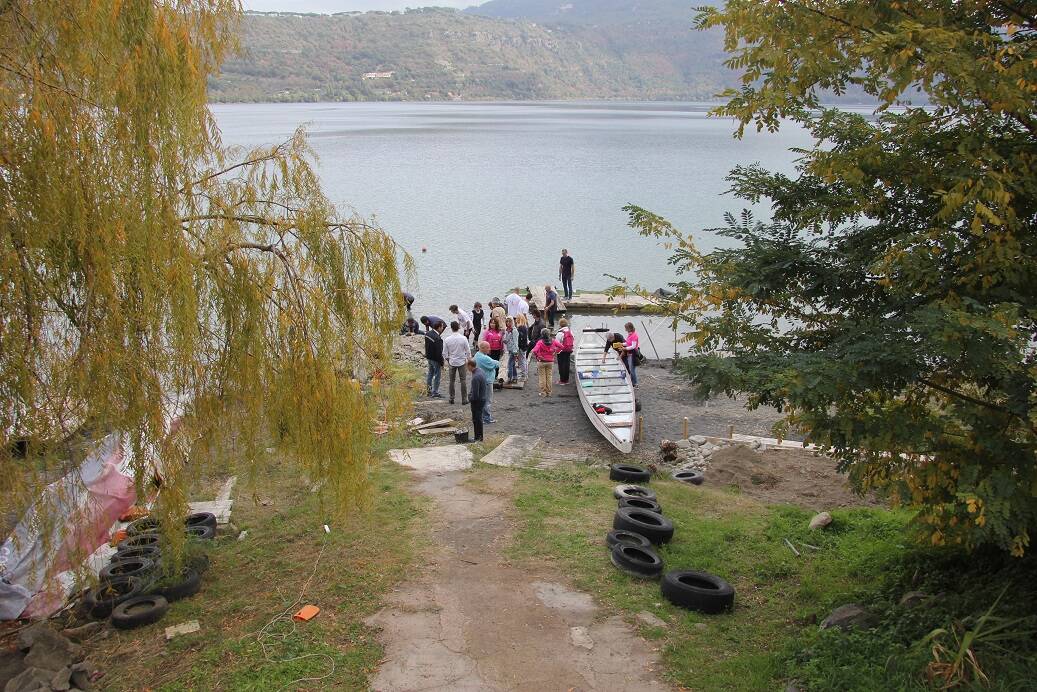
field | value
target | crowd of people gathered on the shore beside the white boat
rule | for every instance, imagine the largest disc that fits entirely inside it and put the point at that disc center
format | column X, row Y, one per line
column 484, row 349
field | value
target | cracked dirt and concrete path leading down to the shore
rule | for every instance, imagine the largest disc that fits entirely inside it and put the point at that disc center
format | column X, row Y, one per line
column 471, row 621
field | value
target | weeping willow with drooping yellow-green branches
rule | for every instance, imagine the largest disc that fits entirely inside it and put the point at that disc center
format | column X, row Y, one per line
column 192, row 298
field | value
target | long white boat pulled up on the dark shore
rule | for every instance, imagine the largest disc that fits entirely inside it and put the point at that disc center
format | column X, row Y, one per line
column 606, row 383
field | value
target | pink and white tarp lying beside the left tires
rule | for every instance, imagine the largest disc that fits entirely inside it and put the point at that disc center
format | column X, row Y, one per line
column 89, row 503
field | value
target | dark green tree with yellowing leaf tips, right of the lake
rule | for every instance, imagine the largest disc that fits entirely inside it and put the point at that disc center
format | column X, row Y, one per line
column 889, row 308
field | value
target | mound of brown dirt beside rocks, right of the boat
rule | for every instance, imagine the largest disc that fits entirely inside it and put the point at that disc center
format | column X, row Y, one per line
column 795, row 477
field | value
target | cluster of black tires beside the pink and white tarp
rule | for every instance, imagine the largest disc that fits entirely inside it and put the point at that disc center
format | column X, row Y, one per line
column 133, row 590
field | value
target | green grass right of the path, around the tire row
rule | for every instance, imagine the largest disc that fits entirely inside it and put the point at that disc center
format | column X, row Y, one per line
column 772, row 635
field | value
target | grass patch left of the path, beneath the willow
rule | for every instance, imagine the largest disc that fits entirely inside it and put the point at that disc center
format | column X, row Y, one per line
column 254, row 580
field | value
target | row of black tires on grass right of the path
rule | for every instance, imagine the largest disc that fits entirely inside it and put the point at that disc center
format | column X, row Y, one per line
column 639, row 527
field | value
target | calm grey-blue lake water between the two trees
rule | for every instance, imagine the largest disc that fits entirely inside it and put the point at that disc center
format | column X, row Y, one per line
column 494, row 191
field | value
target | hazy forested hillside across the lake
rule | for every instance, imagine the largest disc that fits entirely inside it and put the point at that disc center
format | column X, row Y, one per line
column 624, row 52
